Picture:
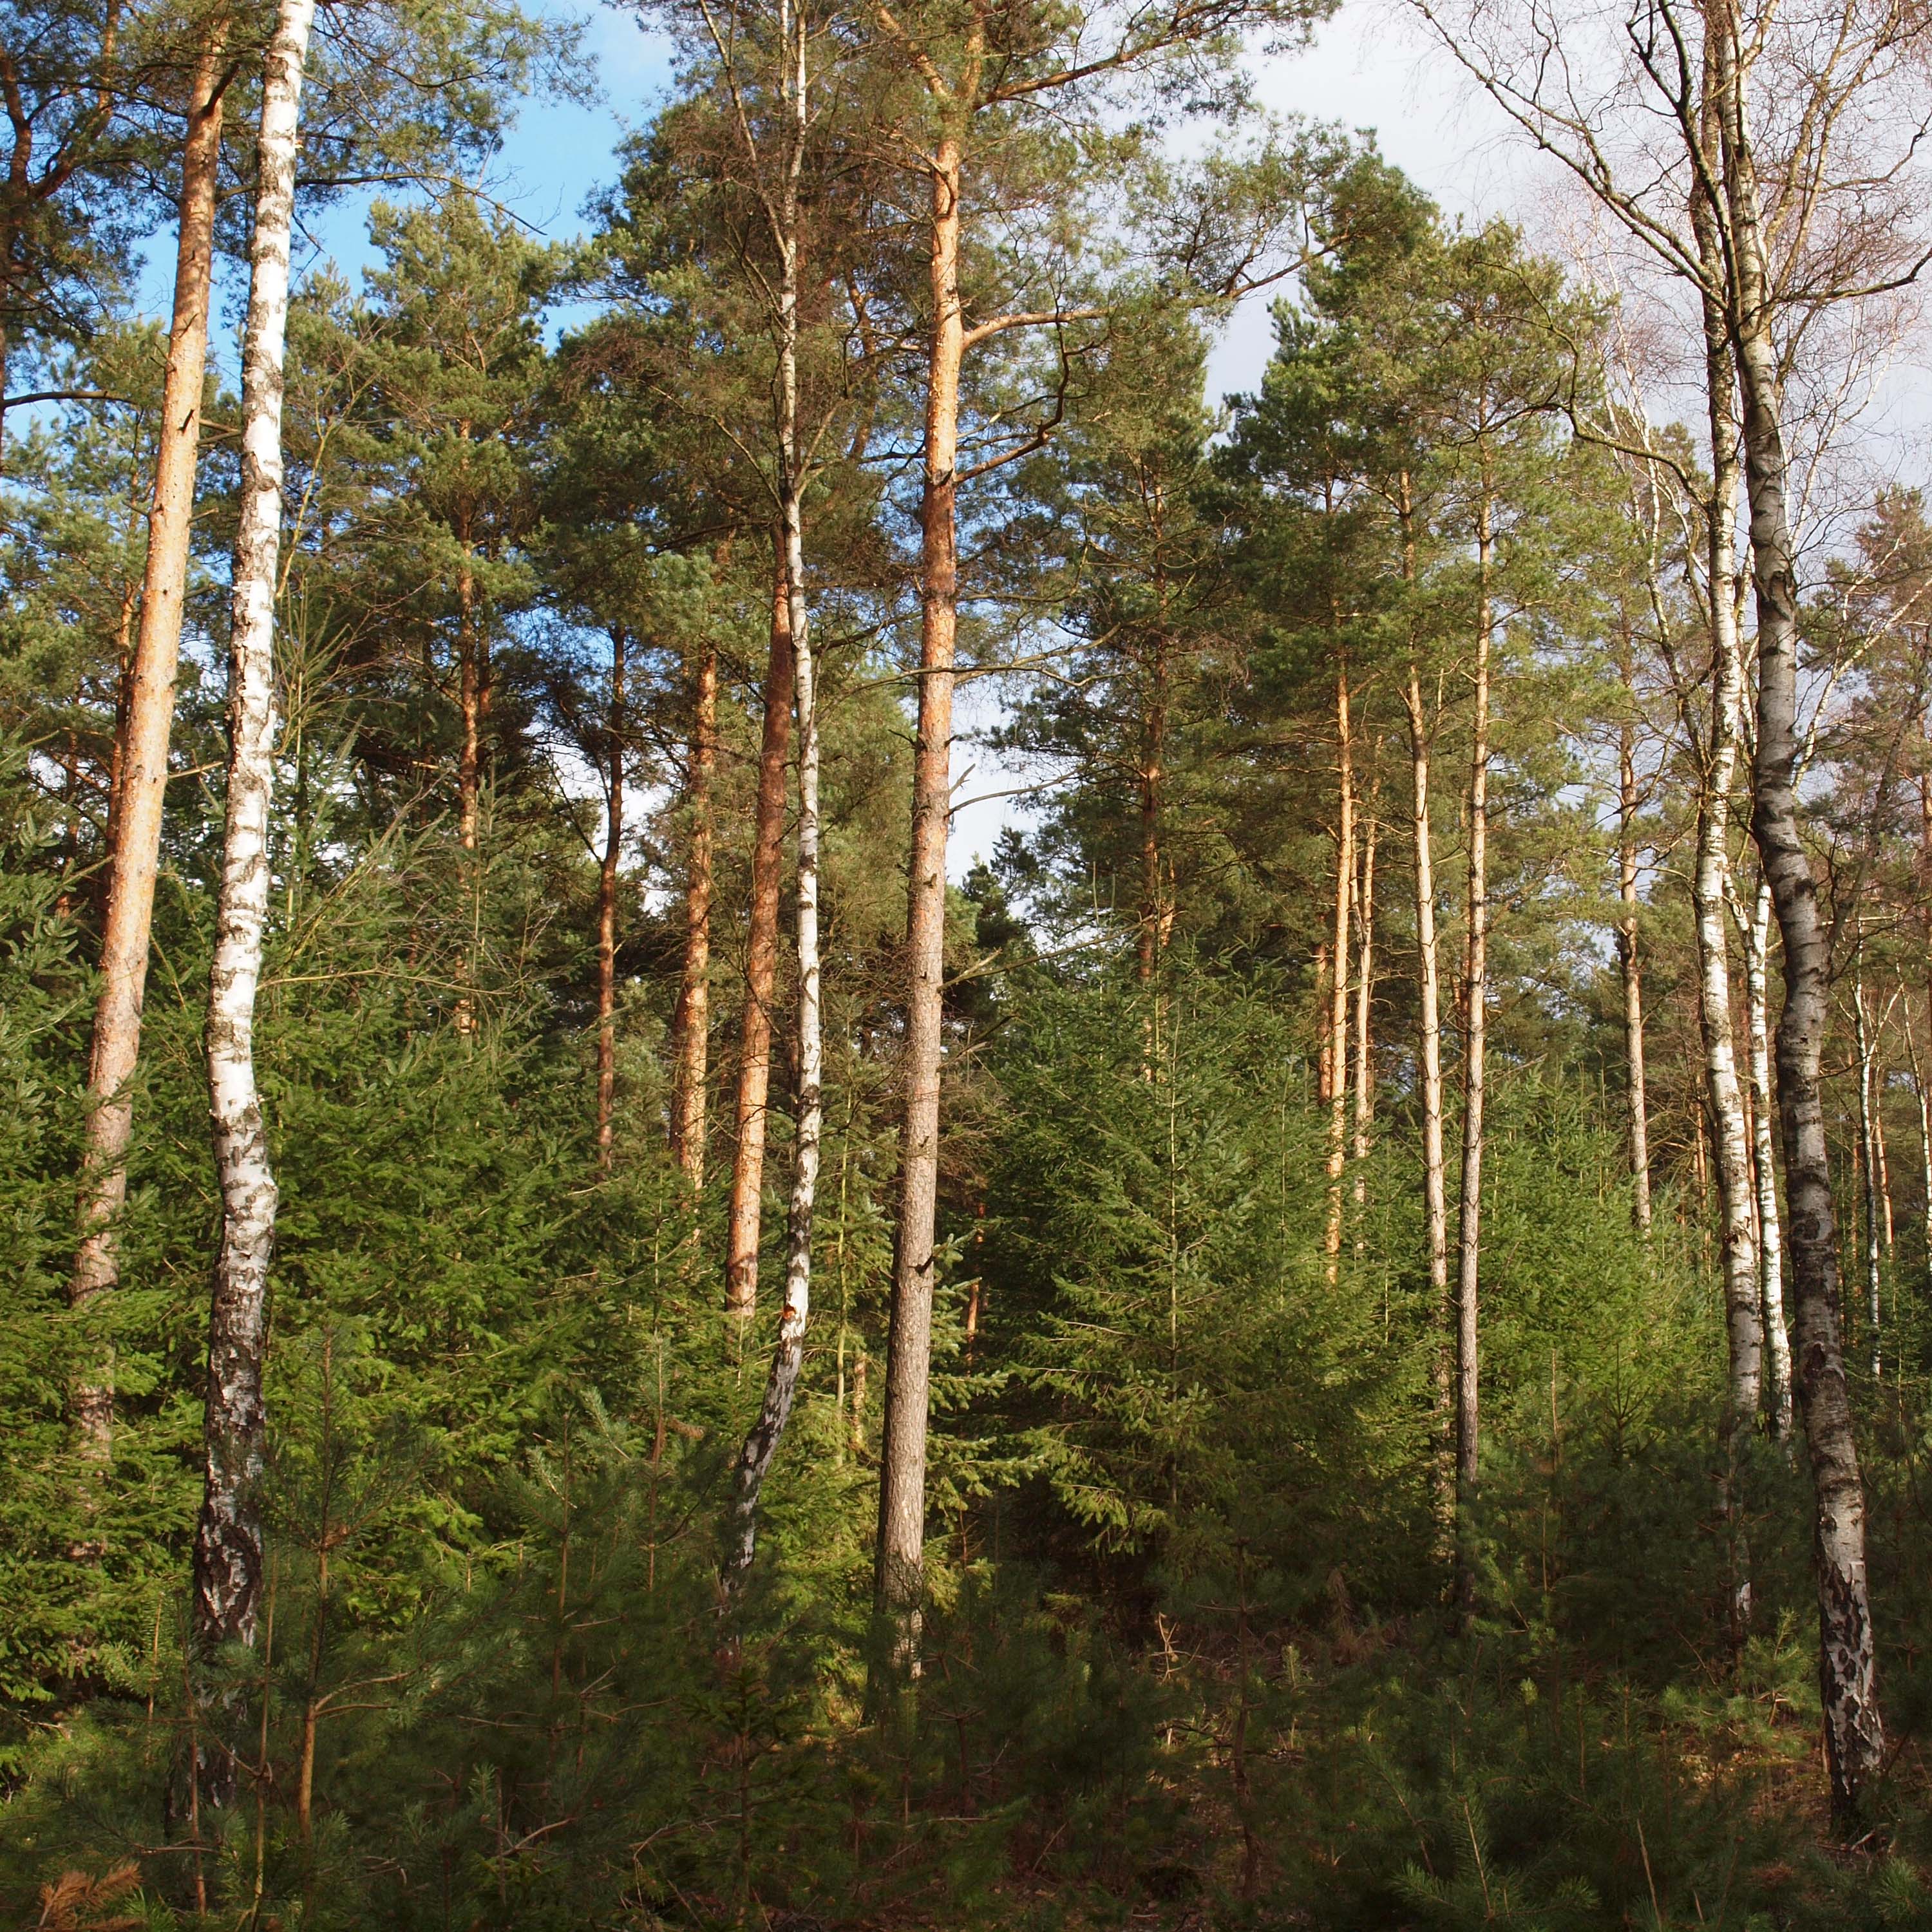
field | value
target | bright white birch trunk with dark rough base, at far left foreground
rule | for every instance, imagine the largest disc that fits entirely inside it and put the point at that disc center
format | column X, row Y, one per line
column 229, row 1537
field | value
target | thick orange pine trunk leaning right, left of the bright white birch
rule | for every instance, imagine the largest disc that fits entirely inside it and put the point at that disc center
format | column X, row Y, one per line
column 144, row 747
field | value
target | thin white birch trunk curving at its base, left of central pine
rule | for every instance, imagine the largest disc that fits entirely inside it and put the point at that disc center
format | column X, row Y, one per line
column 781, row 1384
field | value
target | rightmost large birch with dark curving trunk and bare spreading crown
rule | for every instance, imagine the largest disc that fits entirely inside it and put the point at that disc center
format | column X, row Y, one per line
column 1684, row 117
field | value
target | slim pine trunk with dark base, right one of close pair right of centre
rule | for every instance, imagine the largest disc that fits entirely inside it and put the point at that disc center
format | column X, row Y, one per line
column 1475, row 1033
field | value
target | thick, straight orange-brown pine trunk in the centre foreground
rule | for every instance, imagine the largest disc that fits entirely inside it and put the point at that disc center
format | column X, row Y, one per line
column 901, row 1570
